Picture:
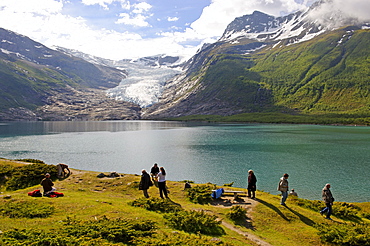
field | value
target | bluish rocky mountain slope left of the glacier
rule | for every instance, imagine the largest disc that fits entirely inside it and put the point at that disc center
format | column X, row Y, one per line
column 33, row 76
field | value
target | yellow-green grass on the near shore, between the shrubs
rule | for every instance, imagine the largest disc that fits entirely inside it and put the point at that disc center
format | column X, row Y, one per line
column 89, row 200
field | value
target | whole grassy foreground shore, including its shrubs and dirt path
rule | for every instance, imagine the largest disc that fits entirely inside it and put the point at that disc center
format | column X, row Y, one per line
column 100, row 211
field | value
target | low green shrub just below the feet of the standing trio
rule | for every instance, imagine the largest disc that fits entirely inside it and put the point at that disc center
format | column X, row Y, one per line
column 156, row 204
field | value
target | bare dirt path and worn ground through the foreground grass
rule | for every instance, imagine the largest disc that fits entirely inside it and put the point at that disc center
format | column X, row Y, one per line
column 248, row 204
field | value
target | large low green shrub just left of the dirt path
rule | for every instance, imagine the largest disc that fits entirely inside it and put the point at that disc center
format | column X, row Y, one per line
column 194, row 222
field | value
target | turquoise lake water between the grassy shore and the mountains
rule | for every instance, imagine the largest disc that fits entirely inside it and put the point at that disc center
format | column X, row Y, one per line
column 218, row 153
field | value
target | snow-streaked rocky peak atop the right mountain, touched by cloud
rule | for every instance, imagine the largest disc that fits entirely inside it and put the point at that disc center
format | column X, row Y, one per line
column 293, row 28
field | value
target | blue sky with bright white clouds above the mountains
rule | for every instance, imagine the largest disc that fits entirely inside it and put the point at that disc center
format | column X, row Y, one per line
column 129, row 29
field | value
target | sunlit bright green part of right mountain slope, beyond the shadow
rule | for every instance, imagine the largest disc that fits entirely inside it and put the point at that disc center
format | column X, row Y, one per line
column 328, row 74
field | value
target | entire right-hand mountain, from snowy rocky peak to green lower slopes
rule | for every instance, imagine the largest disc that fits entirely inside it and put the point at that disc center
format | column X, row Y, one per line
column 292, row 64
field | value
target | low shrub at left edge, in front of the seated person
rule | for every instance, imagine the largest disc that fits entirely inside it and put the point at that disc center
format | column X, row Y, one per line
column 26, row 209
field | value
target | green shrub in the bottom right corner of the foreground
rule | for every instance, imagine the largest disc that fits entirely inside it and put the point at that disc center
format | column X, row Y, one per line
column 345, row 234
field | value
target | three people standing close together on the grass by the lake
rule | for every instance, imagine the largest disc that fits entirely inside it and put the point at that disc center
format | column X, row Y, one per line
column 157, row 176
